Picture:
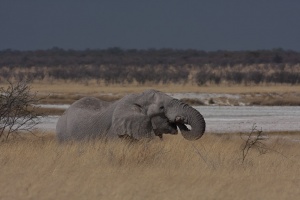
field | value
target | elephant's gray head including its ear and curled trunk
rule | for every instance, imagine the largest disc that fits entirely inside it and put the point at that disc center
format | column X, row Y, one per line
column 132, row 116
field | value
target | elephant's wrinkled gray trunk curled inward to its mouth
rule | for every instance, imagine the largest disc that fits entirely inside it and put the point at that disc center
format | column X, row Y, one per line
column 185, row 114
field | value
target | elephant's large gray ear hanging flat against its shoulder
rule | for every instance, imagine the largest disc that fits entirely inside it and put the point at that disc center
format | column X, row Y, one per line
column 131, row 120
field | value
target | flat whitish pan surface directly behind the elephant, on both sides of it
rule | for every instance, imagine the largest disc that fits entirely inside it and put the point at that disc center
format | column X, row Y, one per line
column 225, row 119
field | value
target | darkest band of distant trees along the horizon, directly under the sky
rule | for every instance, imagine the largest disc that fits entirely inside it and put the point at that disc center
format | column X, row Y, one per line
column 117, row 56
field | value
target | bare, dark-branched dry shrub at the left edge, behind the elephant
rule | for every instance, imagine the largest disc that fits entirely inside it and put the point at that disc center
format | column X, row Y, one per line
column 17, row 109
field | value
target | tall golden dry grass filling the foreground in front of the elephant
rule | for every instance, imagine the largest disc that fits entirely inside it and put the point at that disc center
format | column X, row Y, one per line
column 210, row 168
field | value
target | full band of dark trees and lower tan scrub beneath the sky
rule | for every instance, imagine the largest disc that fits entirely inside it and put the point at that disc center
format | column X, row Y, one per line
column 118, row 66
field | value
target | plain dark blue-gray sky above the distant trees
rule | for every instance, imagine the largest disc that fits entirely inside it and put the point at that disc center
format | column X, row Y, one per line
column 207, row 25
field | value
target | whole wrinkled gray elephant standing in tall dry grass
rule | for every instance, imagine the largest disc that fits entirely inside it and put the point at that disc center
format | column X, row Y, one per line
column 136, row 116
